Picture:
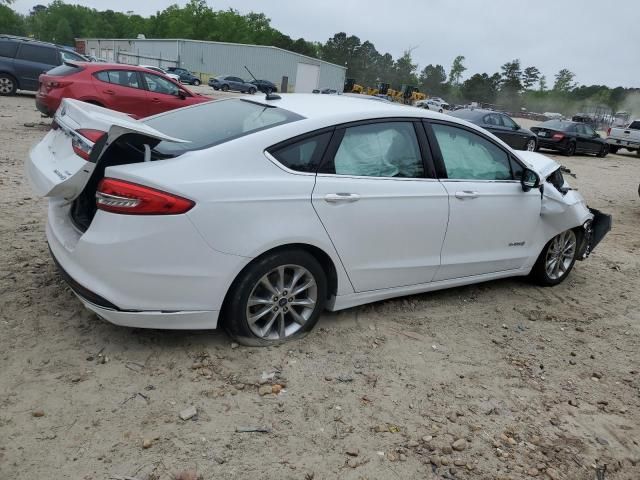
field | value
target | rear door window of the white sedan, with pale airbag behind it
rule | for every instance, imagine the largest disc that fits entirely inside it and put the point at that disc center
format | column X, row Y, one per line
column 379, row 150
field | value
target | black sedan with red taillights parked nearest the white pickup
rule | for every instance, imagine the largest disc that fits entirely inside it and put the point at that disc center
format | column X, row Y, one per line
column 570, row 138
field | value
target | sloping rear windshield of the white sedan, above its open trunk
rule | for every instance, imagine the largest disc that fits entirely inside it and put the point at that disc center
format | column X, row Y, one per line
column 213, row 123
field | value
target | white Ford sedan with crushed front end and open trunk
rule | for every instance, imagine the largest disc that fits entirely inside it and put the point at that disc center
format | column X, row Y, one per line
column 258, row 214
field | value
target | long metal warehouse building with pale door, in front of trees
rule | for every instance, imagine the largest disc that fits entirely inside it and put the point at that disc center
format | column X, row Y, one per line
column 208, row 59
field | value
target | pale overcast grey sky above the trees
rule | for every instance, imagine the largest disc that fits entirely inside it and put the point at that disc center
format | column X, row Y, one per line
column 597, row 40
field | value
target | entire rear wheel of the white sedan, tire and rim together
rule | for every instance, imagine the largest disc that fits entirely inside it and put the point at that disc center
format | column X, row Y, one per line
column 261, row 289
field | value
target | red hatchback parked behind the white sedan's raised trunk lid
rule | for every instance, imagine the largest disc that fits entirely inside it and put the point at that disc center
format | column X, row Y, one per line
column 138, row 91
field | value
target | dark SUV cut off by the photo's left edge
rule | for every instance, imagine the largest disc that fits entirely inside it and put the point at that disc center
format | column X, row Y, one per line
column 22, row 60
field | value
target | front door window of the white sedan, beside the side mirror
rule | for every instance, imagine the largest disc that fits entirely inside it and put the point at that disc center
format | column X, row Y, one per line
column 468, row 156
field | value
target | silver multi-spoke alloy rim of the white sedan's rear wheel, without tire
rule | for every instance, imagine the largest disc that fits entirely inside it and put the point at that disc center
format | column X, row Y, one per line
column 281, row 302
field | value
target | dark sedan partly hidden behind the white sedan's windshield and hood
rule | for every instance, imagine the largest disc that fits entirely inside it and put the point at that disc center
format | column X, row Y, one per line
column 501, row 125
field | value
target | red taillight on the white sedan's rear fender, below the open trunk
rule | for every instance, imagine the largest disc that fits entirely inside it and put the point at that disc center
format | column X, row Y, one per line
column 119, row 196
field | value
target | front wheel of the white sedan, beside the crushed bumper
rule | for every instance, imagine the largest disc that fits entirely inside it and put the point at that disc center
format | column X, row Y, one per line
column 556, row 259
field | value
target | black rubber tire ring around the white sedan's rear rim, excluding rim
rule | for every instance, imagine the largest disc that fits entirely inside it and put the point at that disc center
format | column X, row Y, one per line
column 234, row 313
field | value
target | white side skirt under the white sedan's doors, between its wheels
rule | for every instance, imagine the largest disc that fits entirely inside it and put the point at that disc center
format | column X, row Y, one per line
column 354, row 299
